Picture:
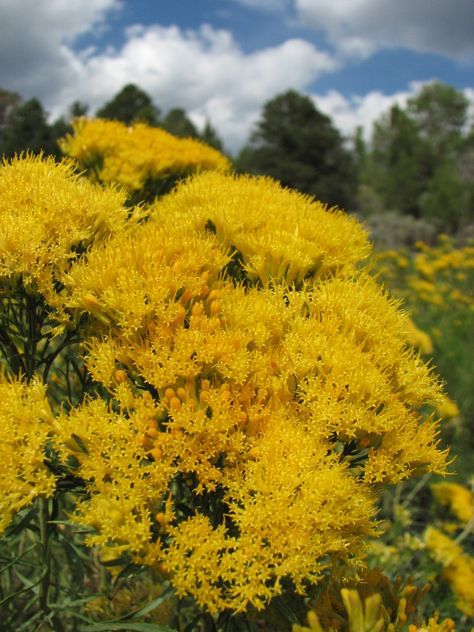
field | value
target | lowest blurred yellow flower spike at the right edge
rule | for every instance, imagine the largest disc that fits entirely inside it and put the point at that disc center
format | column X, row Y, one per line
column 458, row 567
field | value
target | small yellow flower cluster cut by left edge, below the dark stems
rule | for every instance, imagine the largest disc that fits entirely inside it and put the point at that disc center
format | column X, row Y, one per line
column 25, row 425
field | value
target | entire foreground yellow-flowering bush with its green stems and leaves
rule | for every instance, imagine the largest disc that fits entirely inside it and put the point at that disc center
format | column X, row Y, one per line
column 220, row 390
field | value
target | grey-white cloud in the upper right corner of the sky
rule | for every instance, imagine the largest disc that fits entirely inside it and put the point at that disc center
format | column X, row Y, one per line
column 359, row 27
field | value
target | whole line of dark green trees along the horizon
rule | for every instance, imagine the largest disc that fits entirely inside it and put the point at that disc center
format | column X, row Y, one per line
column 417, row 166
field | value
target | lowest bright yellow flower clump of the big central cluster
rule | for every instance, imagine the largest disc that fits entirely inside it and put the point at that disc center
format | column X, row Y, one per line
column 286, row 518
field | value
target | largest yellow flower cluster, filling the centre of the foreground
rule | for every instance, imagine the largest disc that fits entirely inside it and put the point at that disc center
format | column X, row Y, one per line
column 261, row 384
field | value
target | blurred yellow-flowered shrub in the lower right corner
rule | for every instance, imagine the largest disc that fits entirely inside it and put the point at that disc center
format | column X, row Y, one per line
column 428, row 536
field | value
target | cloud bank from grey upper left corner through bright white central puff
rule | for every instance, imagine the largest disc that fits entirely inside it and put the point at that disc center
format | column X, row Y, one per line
column 204, row 70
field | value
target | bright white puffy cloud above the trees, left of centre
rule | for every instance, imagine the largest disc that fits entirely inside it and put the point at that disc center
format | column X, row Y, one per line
column 204, row 72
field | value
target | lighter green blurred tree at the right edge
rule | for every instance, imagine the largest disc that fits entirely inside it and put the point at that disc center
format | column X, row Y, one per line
column 418, row 160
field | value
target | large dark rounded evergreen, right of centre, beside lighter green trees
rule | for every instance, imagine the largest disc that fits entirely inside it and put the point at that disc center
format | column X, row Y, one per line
column 298, row 145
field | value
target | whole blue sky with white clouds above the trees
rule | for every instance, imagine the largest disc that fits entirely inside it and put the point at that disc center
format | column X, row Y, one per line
column 222, row 59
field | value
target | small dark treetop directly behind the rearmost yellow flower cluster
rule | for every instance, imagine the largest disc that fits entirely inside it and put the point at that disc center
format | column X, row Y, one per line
column 129, row 105
